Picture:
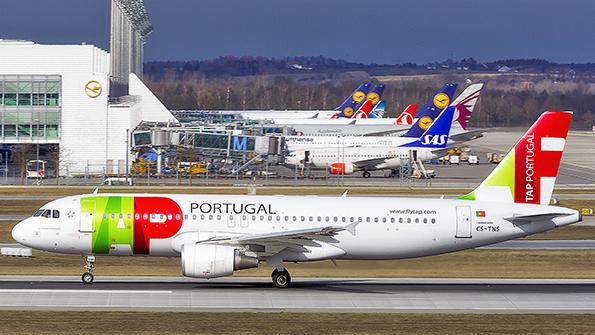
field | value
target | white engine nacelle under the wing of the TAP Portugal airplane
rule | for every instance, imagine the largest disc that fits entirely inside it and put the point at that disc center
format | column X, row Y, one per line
column 212, row 261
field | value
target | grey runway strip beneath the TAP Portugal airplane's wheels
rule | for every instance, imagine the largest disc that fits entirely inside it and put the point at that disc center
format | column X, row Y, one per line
column 306, row 295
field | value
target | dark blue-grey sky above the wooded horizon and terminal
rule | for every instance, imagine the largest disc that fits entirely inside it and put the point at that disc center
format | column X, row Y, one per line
column 366, row 31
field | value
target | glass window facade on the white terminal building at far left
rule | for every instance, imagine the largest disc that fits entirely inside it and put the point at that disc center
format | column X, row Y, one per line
column 30, row 106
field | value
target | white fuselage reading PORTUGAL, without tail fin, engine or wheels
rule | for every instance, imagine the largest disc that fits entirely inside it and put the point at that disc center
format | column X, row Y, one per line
column 387, row 228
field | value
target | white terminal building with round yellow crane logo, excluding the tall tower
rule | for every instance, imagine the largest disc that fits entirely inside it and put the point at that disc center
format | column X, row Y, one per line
column 59, row 94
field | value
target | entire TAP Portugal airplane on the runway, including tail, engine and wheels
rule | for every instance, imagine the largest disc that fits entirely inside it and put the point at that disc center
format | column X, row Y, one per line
column 216, row 235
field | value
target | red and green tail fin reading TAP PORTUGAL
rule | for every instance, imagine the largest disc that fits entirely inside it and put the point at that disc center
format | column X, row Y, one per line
column 528, row 173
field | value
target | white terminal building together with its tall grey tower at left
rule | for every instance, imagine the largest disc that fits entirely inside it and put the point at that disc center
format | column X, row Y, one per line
column 78, row 98
